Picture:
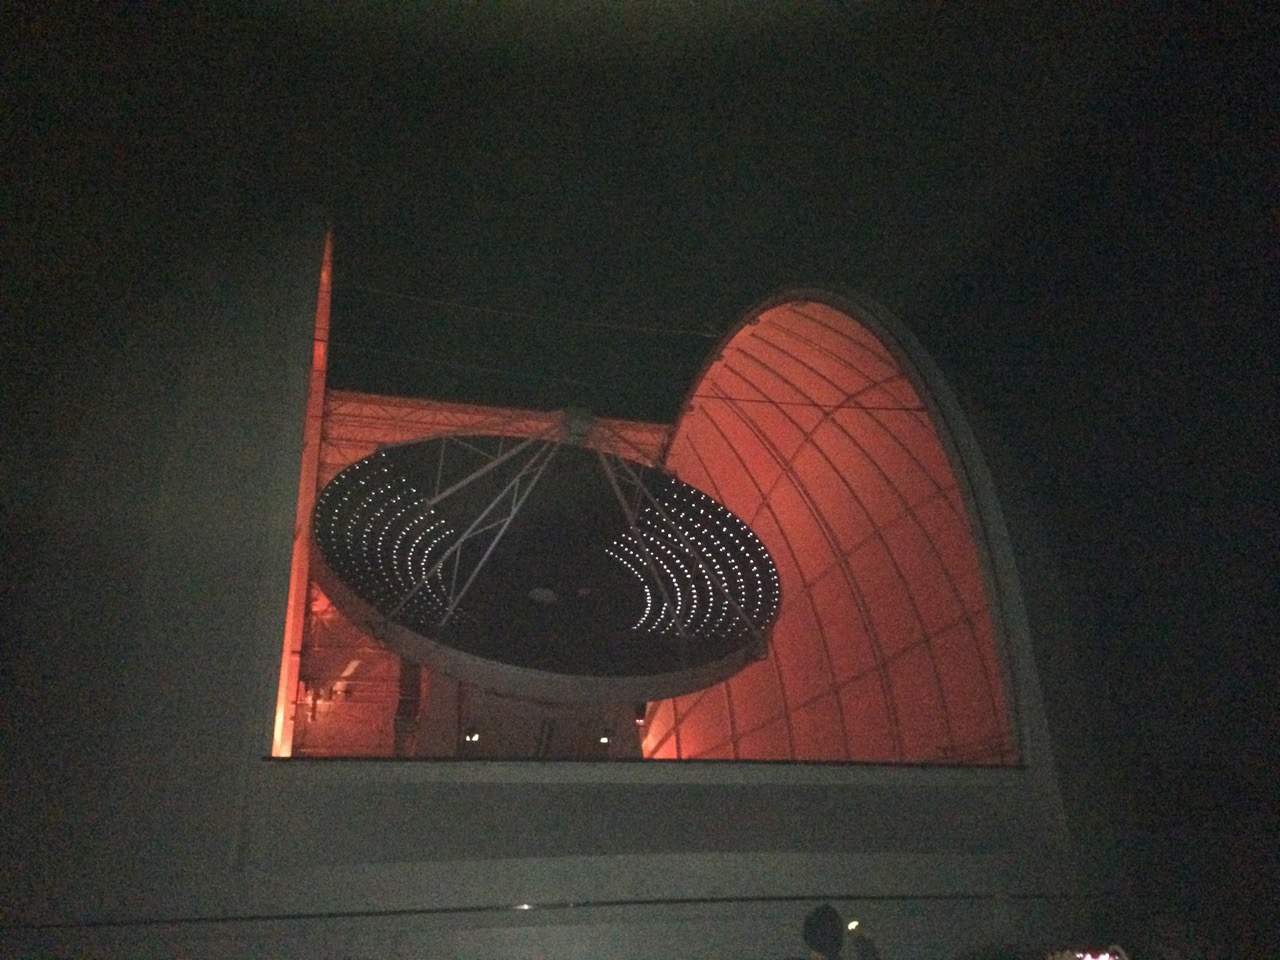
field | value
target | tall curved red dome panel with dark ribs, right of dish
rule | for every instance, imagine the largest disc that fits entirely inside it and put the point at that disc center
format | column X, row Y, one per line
column 808, row 428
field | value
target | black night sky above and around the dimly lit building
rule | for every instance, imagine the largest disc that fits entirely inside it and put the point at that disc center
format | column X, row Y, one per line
column 1075, row 213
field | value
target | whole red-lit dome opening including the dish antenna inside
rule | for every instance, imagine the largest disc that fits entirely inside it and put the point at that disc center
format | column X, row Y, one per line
column 797, row 570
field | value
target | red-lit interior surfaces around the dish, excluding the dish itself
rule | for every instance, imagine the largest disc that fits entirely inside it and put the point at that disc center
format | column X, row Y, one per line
column 813, row 427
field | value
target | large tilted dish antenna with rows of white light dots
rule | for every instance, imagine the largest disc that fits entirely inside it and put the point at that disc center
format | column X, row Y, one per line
column 545, row 570
